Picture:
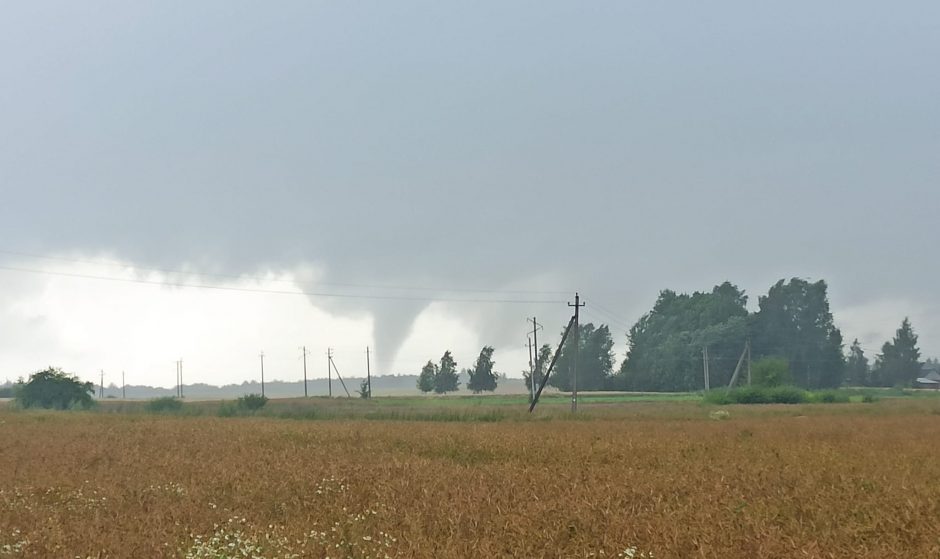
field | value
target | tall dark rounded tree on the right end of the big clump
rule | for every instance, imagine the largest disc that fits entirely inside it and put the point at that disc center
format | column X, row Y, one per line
column 794, row 322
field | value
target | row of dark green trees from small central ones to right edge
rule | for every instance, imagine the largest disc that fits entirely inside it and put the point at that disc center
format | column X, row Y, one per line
column 793, row 340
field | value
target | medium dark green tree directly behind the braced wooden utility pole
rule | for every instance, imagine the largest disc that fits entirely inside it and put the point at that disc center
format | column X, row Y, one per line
column 595, row 360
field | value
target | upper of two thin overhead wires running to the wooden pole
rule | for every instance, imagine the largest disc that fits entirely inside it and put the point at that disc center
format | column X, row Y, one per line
column 293, row 282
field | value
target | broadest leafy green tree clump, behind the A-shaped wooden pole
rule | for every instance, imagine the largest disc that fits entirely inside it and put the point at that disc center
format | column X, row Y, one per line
column 665, row 345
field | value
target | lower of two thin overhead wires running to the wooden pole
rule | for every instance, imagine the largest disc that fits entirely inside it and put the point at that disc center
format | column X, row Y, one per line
column 279, row 291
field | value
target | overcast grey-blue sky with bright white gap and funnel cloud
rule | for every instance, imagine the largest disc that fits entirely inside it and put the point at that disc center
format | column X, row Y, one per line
column 516, row 148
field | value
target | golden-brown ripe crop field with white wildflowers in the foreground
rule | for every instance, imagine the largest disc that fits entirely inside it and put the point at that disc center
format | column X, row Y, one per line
column 859, row 481
